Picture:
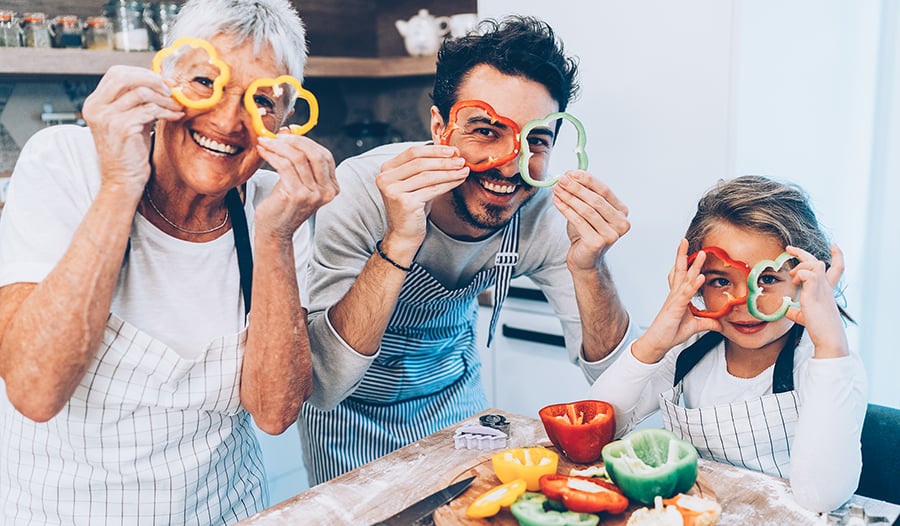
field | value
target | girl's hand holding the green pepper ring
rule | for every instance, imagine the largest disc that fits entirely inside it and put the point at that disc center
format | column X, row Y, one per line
column 818, row 311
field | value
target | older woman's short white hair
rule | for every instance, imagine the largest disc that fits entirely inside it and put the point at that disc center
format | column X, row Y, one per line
column 266, row 22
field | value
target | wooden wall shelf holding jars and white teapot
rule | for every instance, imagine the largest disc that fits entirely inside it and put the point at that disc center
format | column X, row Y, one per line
column 30, row 62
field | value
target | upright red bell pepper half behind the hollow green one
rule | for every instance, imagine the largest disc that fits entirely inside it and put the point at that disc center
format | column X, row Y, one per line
column 580, row 429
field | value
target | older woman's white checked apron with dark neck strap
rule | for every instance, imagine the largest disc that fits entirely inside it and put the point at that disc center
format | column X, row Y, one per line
column 148, row 437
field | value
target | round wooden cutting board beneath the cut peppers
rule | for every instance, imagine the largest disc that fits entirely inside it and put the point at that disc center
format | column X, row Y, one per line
column 454, row 513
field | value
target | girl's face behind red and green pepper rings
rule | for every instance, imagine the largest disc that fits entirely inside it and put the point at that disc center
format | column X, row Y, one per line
column 742, row 330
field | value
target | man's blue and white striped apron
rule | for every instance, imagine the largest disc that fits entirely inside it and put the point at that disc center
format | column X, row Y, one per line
column 426, row 376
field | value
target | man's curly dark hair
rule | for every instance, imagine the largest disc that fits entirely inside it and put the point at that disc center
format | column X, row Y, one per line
column 516, row 45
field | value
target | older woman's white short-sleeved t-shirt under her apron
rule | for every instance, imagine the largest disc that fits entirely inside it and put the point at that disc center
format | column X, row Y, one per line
column 182, row 293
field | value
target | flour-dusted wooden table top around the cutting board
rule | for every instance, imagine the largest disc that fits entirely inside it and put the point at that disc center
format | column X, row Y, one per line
column 385, row 486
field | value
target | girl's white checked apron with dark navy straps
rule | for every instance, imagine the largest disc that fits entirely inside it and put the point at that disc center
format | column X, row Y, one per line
column 754, row 434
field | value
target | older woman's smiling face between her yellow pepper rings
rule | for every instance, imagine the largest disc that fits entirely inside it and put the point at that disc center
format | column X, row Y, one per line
column 213, row 150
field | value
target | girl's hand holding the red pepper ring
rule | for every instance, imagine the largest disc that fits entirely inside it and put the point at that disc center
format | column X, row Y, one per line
column 675, row 323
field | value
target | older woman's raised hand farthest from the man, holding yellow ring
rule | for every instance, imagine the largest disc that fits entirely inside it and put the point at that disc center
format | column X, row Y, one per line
column 120, row 113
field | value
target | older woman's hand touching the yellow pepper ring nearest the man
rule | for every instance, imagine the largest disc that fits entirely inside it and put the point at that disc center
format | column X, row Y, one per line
column 307, row 181
